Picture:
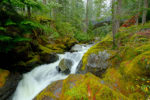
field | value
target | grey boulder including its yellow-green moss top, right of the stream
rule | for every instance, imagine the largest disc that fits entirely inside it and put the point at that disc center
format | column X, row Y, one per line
column 96, row 59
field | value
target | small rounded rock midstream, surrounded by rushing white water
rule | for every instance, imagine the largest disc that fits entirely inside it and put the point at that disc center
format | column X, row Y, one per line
column 65, row 66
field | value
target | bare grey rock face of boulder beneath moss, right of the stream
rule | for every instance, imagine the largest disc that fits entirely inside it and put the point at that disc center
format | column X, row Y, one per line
column 96, row 63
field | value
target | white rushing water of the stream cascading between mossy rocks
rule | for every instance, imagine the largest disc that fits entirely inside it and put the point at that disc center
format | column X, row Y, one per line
column 39, row 78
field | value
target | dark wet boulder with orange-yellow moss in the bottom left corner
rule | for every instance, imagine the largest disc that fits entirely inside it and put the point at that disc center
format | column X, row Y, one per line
column 10, row 83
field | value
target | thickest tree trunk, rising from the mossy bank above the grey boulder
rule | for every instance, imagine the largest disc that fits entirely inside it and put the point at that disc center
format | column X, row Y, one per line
column 116, row 14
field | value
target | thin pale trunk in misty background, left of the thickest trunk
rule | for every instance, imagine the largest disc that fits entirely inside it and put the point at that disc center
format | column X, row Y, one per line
column 86, row 19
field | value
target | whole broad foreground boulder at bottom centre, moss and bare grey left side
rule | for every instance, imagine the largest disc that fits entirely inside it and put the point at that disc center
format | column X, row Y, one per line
column 78, row 87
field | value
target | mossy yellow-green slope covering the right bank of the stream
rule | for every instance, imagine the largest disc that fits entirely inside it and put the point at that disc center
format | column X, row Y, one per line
column 130, row 70
